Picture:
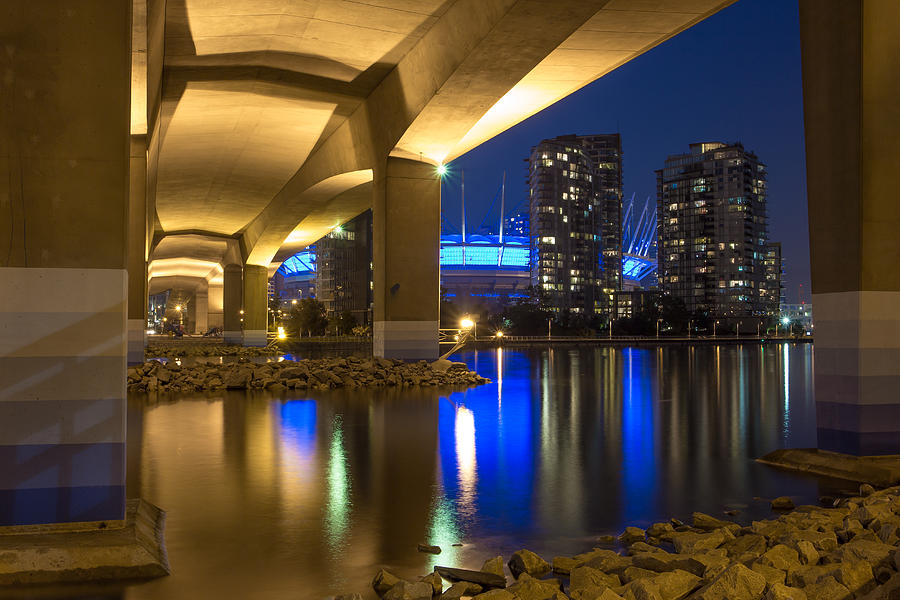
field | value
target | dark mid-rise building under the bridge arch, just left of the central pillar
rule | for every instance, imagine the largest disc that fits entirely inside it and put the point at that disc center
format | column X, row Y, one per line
column 344, row 269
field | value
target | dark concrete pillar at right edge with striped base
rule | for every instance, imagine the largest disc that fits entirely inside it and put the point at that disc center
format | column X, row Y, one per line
column 850, row 88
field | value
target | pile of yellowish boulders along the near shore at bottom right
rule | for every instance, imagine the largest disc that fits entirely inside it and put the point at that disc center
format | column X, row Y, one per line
column 848, row 551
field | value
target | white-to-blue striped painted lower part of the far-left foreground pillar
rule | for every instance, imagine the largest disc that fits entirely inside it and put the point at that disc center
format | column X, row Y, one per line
column 62, row 395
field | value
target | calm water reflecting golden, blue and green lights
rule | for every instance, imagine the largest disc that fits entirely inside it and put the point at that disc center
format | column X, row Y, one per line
column 306, row 496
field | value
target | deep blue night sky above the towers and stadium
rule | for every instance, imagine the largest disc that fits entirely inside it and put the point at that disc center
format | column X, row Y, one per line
column 733, row 77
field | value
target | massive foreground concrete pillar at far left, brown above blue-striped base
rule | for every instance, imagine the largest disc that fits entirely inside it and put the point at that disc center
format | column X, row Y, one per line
column 64, row 193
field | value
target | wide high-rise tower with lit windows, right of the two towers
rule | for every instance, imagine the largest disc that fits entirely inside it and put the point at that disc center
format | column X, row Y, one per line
column 712, row 236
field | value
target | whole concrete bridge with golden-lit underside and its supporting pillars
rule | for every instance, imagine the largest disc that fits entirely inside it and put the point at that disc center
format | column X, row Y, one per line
column 197, row 143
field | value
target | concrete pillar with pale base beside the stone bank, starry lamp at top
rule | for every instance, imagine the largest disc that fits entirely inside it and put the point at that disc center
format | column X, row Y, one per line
column 406, row 251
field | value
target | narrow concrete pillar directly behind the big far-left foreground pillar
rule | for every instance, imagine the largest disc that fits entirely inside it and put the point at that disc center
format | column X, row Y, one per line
column 137, row 250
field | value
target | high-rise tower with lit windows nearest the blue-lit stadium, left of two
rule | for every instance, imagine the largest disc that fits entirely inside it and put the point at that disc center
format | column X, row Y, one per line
column 575, row 217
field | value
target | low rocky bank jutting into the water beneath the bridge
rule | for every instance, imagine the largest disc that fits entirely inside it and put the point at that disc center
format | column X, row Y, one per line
column 316, row 374
